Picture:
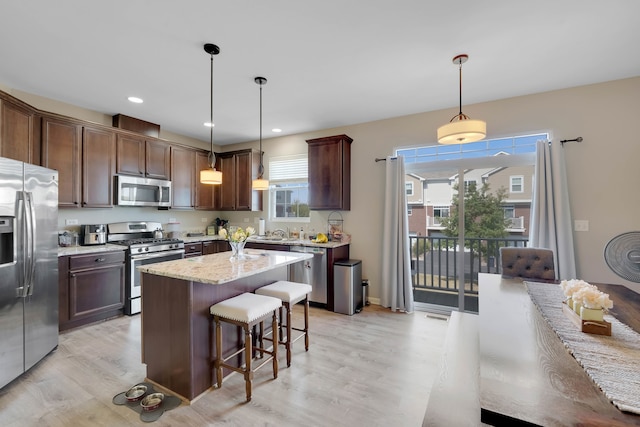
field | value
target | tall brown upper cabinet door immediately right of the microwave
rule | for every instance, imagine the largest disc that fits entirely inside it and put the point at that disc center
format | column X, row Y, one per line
column 183, row 163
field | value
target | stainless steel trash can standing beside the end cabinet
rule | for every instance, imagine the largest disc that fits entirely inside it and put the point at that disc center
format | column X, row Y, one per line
column 347, row 286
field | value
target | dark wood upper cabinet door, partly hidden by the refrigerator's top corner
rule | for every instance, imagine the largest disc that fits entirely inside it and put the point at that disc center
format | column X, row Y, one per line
column 62, row 151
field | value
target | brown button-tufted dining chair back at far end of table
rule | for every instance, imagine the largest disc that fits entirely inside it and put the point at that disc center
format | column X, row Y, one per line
column 527, row 263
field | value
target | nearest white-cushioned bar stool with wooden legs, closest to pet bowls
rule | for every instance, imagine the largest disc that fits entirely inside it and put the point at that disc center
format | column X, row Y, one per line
column 245, row 310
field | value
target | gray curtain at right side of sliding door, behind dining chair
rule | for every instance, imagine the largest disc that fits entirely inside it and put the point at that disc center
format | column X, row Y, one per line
column 550, row 211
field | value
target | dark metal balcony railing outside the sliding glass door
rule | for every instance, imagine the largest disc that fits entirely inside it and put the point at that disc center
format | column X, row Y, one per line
column 435, row 265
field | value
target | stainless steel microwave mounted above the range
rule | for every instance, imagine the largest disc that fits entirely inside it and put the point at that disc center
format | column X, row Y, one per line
column 135, row 191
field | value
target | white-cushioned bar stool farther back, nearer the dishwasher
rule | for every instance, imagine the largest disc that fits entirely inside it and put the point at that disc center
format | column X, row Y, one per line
column 290, row 293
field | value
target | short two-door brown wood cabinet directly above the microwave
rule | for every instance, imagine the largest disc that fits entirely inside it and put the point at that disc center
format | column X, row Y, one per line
column 140, row 156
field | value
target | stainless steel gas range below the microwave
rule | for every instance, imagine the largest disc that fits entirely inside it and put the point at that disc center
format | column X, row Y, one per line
column 144, row 246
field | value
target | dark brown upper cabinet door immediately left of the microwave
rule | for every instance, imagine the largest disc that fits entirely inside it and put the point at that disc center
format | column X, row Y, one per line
column 98, row 167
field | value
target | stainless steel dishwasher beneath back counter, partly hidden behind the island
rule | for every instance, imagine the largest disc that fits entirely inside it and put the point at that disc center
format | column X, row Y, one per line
column 311, row 271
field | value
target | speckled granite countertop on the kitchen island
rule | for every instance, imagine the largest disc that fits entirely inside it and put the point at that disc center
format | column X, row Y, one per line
column 219, row 268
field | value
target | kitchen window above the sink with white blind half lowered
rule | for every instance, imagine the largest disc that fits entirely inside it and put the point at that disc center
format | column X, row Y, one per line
column 289, row 189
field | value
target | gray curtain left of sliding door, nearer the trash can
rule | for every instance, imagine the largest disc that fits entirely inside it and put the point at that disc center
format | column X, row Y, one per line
column 397, row 290
